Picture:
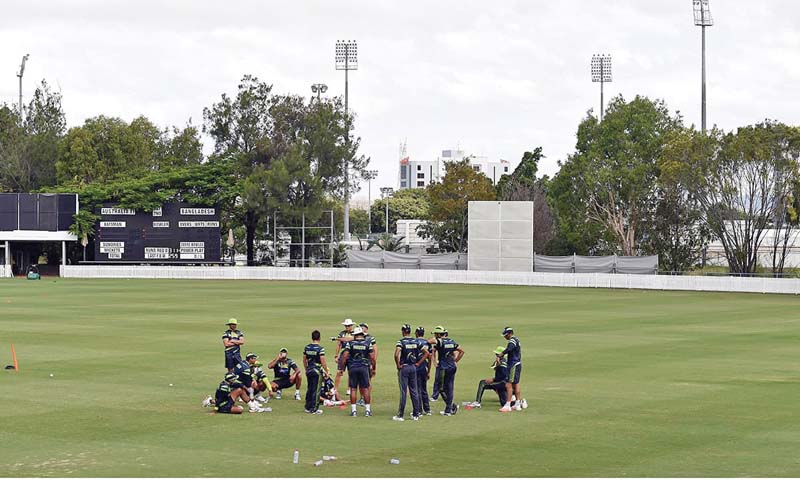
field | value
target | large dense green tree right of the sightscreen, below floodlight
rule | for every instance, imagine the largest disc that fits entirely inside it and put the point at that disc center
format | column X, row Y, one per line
column 614, row 170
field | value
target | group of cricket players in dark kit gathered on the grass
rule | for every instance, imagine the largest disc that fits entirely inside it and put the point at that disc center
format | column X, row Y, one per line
column 357, row 354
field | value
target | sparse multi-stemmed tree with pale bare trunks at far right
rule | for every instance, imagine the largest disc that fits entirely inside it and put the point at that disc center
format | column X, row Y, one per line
column 744, row 184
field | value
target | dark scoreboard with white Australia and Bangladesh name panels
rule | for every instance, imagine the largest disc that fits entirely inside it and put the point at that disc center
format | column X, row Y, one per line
column 174, row 233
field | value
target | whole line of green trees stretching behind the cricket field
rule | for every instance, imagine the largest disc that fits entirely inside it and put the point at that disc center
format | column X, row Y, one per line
column 640, row 182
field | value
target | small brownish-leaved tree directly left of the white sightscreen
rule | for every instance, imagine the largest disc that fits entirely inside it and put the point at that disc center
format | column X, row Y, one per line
column 449, row 205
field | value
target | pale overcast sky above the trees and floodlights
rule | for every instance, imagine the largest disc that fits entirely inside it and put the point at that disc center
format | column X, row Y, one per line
column 495, row 78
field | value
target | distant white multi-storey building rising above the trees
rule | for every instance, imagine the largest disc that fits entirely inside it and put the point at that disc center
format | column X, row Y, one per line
column 420, row 173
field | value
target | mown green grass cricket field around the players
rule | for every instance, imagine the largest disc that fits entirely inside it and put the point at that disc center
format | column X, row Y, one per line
column 620, row 383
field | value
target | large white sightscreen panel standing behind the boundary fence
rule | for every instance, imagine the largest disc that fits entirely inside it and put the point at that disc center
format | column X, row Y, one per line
column 501, row 236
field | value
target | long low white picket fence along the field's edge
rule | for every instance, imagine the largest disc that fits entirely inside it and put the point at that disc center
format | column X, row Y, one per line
column 539, row 279
